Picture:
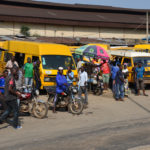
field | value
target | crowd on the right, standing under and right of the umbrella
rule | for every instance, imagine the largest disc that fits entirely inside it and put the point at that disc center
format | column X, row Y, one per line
column 115, row 76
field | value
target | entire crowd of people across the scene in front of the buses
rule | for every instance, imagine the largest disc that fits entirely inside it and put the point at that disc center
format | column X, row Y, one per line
column 112, row 73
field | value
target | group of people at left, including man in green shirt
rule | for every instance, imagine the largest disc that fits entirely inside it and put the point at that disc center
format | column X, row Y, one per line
column 11, row 80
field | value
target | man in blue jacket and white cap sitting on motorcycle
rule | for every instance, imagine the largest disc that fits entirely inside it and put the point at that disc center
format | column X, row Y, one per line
column 61, row 86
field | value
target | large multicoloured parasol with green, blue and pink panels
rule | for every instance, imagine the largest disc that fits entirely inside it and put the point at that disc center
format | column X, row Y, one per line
column 92, row 51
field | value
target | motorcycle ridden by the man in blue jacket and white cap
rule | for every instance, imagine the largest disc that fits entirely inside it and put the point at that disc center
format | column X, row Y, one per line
column 66, row 100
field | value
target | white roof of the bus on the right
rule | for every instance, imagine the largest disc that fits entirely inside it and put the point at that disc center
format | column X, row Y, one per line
column 128, row 53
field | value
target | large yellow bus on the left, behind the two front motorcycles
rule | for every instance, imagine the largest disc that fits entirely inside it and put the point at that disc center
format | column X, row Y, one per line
column 51, row 56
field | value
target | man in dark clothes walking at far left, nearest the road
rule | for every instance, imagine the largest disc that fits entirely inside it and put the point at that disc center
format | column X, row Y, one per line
column 10, row 96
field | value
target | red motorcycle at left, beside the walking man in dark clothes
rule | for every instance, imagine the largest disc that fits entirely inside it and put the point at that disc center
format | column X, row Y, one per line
column 29, row 102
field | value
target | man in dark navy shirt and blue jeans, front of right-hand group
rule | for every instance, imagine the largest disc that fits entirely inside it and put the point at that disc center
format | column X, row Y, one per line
column 120, row 84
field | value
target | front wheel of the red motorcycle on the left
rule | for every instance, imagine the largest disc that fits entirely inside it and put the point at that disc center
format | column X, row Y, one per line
column 40, row 110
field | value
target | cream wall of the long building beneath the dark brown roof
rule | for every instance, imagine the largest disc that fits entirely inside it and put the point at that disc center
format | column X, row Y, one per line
column 70, row 31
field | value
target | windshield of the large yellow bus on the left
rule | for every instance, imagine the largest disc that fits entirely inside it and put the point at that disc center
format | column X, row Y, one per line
column 54, row 61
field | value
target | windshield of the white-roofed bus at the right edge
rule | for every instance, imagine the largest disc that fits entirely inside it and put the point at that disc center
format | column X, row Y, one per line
column 144, row 60
